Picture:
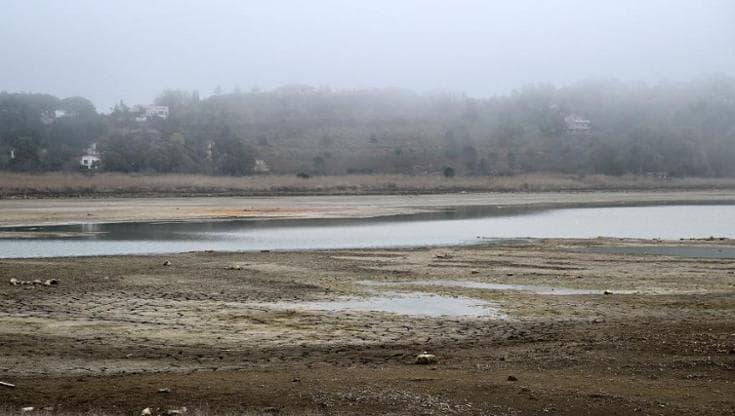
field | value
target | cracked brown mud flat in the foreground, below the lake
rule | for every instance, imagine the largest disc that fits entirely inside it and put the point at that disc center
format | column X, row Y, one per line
column 228, row 333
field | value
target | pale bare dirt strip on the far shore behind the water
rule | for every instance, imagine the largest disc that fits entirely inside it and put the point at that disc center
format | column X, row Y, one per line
column 97, row 210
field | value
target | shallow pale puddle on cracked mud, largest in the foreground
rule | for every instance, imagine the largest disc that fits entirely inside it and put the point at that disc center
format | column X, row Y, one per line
column 408, row 304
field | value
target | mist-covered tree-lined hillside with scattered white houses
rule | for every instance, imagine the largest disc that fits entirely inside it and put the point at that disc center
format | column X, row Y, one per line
column 613, row 128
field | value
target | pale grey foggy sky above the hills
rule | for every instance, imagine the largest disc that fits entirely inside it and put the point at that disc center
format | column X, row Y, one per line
column 131, row 50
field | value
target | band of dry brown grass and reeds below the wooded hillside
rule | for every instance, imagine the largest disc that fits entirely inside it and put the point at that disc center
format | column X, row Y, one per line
column 113, row 184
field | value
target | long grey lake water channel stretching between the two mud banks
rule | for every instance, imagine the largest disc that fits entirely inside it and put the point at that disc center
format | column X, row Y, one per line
column 450, row 227
